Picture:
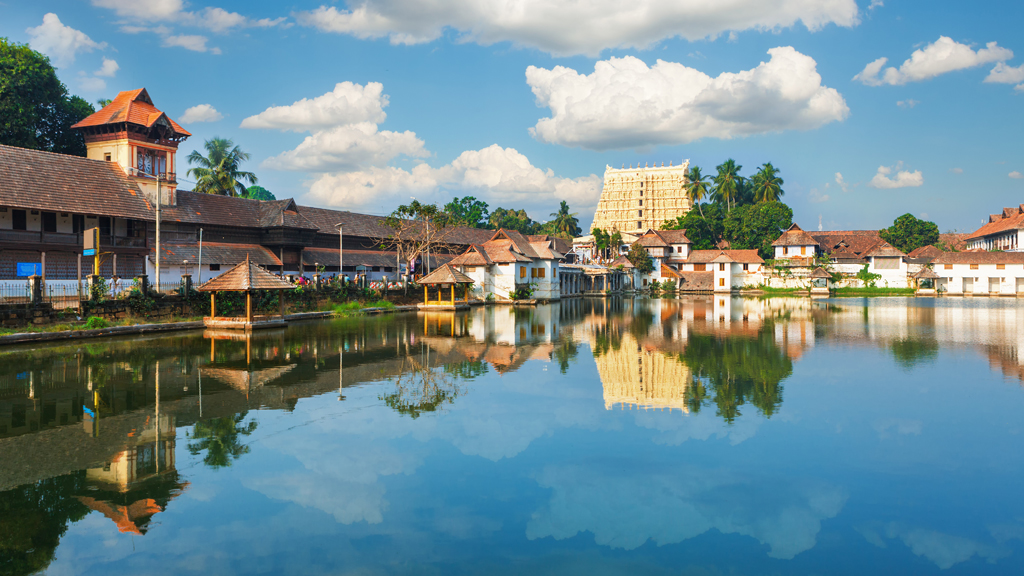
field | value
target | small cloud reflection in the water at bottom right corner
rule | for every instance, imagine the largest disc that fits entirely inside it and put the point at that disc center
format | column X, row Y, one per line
column 945, row 551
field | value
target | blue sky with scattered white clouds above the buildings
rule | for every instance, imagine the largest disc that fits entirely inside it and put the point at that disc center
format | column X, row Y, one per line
column 870, row 109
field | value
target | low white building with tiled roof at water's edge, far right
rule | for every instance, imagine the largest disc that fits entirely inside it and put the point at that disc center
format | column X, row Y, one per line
column 980, row 273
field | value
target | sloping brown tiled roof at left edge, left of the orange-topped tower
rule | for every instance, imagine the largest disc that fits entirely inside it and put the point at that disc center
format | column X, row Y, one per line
column 44, row 181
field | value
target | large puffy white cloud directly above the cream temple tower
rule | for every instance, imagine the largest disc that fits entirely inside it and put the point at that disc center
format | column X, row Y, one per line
column 626, row 104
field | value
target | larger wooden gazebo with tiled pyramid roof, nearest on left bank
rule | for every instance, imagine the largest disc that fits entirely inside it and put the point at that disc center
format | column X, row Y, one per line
column 245, row 277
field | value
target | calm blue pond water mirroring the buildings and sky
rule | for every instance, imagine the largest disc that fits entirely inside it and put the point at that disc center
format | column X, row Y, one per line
column 700, row 436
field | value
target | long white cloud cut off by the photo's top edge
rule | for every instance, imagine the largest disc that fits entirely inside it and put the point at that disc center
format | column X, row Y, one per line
column 595, row 25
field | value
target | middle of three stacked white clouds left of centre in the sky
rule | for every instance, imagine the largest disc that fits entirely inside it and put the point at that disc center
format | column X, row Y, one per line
column 349, row 148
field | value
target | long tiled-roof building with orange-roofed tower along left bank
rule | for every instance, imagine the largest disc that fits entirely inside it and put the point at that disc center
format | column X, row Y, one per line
column 49, row 200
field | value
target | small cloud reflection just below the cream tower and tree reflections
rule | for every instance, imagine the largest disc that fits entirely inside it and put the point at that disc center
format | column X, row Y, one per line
column 701, row 426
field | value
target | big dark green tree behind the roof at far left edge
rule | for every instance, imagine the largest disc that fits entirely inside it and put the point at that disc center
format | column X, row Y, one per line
column 36, row 111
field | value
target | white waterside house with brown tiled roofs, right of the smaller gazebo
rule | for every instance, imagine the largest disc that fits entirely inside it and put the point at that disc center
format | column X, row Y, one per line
column 509, row 262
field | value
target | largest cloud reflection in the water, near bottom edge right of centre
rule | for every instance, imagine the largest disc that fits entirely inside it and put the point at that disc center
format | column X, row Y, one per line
column 624, row 511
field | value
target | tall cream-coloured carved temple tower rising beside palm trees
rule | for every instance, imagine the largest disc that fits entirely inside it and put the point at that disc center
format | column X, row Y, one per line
column 634, row 200
